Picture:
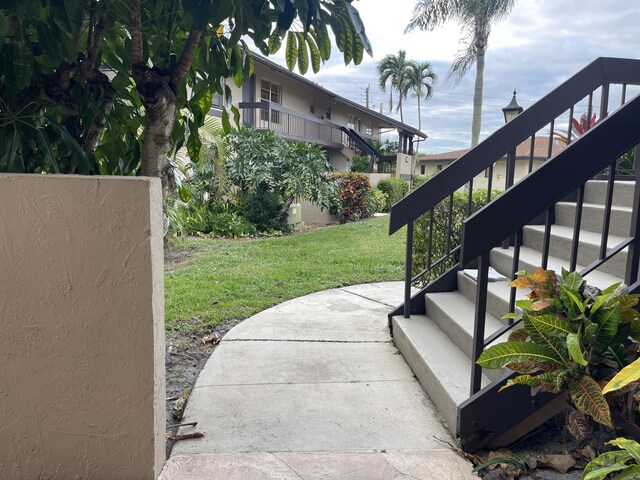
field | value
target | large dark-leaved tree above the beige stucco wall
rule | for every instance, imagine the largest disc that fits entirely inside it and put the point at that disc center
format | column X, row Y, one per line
column 100, row 87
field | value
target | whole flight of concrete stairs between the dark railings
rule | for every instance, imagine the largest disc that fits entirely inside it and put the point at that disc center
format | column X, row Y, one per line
column 438, row 344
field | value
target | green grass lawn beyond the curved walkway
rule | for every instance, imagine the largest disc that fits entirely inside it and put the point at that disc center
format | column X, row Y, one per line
column 228, row 280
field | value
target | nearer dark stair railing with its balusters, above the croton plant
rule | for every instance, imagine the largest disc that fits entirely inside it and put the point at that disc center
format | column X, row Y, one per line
column 568, row 172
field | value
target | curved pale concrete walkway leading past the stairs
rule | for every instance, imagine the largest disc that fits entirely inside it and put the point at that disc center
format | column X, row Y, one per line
column 314, row 388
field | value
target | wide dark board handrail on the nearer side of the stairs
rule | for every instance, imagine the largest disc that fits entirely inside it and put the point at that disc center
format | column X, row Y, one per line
column 568, row 170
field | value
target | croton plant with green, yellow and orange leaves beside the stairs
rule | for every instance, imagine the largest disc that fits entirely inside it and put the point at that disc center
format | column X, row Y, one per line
column 574, row 339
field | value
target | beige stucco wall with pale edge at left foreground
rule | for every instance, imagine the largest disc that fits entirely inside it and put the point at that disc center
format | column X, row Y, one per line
column 82, row 384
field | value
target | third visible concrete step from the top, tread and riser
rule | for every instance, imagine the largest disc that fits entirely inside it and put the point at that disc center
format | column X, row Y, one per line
column 588, row 250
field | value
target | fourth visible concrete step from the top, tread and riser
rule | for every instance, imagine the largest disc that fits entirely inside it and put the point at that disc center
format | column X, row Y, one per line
column 530, row 259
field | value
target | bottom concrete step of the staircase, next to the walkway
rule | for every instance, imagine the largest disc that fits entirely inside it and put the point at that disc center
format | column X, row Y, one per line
column 442, row 369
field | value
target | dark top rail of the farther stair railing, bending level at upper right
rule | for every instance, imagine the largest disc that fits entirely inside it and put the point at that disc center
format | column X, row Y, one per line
column 598, row 73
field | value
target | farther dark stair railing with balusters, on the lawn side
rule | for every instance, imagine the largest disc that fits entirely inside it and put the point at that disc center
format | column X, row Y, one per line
column 516, row 150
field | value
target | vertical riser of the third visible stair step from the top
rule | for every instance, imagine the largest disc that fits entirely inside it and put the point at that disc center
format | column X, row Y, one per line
column 561, row 247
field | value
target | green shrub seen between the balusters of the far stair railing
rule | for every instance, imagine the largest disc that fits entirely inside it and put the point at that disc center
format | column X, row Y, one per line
column 443, row 238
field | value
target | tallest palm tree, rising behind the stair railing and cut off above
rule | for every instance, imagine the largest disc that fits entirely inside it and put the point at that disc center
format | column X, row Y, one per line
column 476, row 17
